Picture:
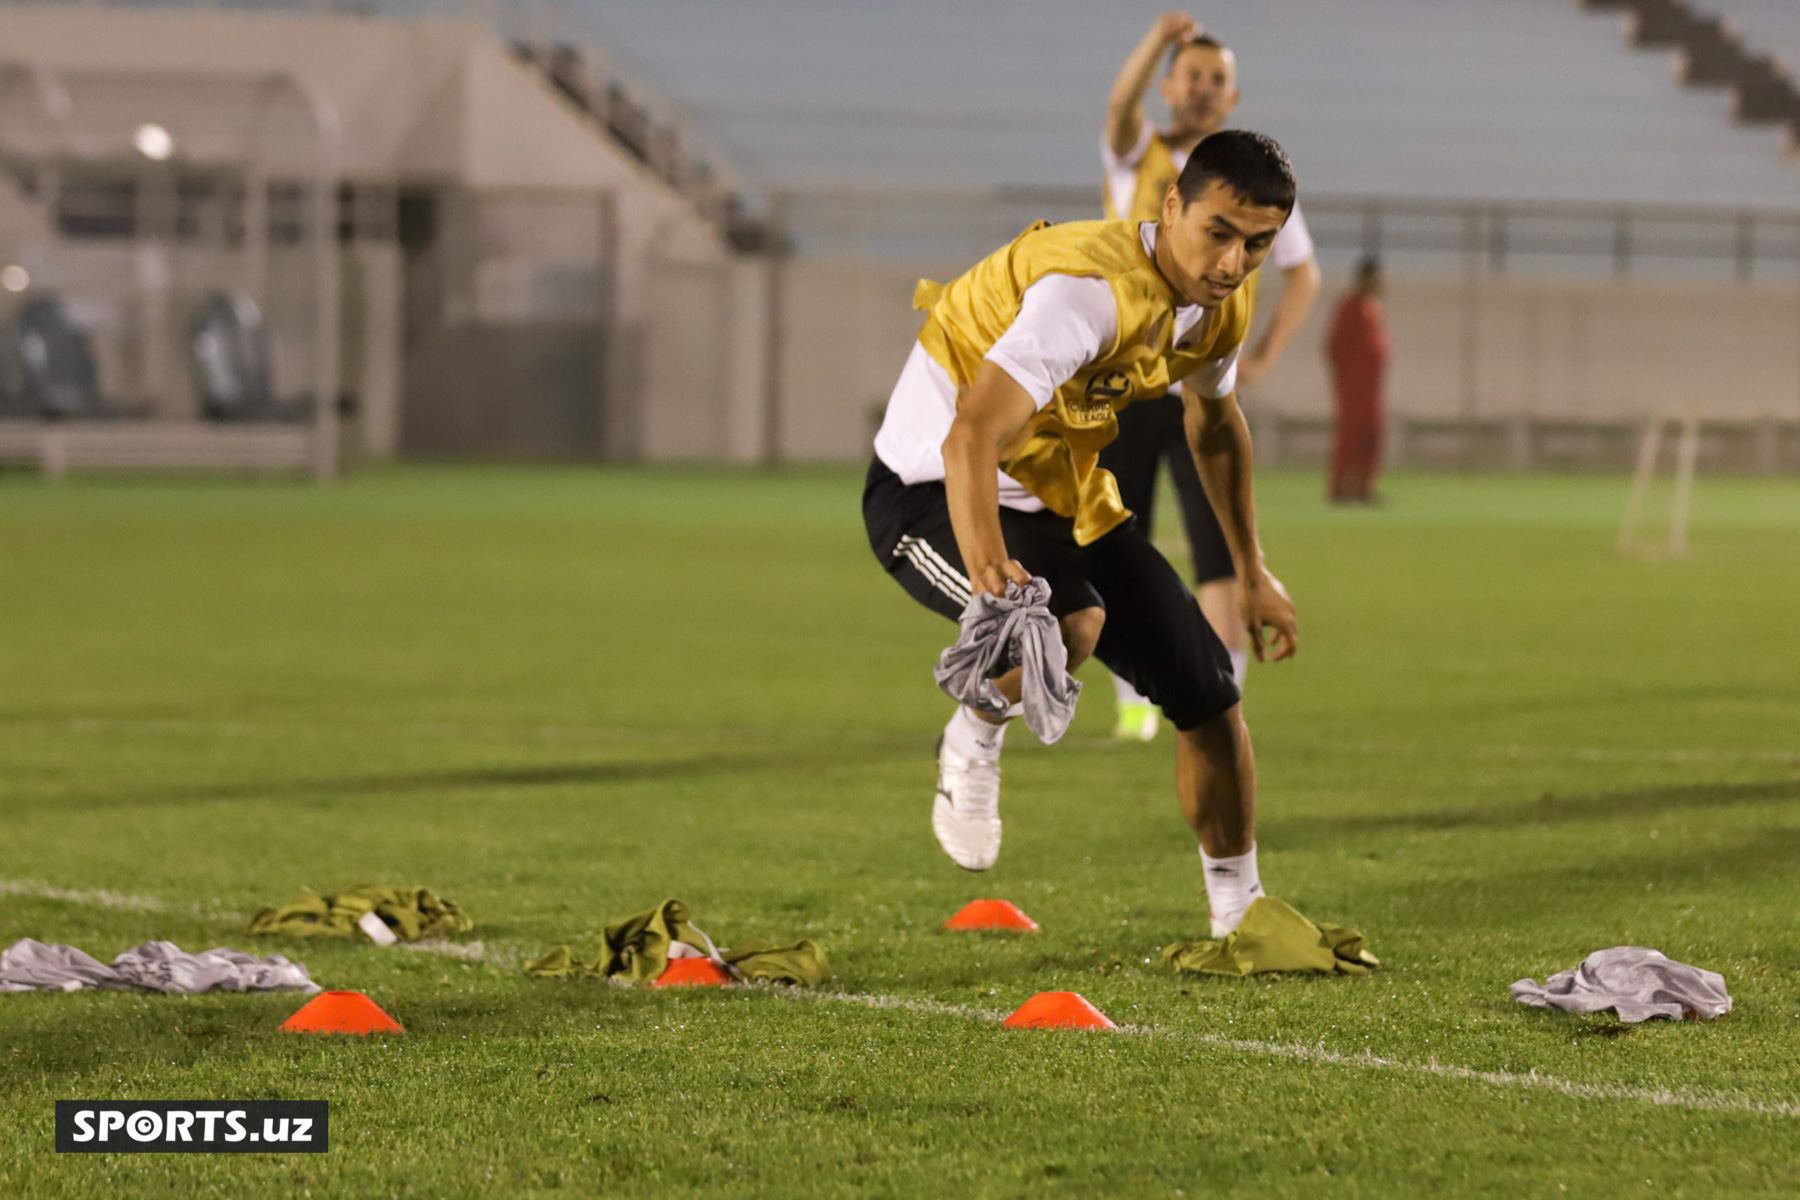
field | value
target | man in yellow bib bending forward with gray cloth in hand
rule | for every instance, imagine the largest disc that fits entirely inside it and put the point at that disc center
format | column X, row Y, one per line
column 987, row 472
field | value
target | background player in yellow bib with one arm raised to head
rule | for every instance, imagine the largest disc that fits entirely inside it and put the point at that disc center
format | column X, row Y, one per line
column 1200, row 89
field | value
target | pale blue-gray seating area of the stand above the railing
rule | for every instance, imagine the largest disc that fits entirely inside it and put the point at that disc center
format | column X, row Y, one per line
column 1495, row 100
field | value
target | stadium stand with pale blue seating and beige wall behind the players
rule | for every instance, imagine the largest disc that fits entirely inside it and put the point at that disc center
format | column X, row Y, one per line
column 1527, row 334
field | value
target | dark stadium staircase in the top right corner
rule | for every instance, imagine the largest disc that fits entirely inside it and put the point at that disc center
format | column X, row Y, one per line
column 1714, row 55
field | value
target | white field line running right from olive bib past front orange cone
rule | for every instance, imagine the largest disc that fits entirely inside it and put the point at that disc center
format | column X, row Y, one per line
column 1299, row 1052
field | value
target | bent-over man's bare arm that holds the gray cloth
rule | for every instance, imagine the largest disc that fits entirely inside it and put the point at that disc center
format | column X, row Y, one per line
column 991, row 415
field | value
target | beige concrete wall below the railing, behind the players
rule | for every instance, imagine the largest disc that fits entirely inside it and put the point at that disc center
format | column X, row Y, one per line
column 1547, row 348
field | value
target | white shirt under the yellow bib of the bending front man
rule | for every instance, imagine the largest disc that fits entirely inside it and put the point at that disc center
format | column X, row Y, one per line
column 1065, row 323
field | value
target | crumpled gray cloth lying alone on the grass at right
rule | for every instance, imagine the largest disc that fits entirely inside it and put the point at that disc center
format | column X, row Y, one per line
column 1635, row 983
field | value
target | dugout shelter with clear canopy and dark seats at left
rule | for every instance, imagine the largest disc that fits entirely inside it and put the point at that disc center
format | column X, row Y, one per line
column 136, row 204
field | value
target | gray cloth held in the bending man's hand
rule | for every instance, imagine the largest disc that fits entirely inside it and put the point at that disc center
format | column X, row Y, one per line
column 1005, row 632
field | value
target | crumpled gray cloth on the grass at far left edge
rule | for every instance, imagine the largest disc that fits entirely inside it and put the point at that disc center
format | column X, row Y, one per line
column 31, row 965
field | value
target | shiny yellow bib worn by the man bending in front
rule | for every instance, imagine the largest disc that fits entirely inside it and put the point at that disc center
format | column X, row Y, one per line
column 1057, row 456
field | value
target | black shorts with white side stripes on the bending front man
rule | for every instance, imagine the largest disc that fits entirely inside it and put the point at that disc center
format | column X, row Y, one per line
column 1155, row 634
